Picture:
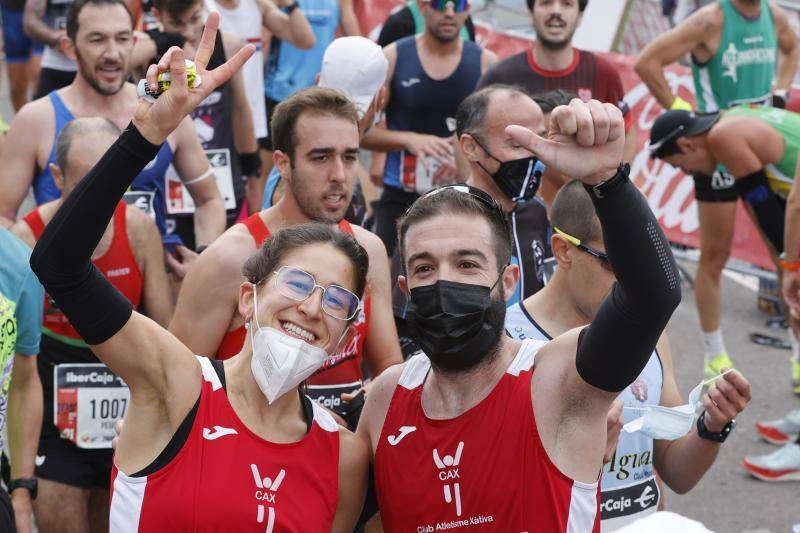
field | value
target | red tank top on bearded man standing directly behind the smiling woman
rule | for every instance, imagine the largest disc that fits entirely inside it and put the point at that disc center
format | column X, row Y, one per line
column 343, row 372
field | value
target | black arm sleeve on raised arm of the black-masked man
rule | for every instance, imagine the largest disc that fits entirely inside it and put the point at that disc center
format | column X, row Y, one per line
column 615, row 347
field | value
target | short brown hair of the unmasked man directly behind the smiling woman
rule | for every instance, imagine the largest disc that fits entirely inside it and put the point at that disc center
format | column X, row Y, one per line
column 313, row 100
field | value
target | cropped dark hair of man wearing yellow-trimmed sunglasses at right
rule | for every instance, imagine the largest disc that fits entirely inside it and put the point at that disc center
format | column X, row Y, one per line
column 573, row 213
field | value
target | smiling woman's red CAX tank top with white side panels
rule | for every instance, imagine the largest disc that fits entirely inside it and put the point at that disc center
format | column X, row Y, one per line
column 226, row 478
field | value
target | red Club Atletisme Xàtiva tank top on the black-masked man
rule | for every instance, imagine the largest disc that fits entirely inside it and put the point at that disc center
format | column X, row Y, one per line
column 485, row 470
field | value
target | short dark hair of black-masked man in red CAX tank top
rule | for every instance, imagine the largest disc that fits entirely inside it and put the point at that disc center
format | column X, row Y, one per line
column 451, row 202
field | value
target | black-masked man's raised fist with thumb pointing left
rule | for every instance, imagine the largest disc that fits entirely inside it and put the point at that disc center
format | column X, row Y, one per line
column 585, row 141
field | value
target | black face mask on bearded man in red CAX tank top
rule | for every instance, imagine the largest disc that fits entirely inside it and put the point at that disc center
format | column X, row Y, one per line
column 457, row 325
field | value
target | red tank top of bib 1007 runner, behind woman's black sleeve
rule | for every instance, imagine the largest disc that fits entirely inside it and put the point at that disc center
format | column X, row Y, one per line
column 118, row 265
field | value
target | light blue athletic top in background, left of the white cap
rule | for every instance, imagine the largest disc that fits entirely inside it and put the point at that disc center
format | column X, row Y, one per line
column 290, row 69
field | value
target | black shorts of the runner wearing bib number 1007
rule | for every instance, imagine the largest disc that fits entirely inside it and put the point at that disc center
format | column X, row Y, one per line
column 61, row 461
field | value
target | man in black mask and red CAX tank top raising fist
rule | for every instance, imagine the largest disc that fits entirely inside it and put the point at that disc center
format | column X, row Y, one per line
column 471, row 432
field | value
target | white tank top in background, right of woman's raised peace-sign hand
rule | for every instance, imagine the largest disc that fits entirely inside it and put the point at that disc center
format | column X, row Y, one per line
column 245, row 20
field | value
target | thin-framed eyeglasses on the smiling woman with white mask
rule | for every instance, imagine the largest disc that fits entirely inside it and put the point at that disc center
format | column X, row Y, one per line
column 298, row 285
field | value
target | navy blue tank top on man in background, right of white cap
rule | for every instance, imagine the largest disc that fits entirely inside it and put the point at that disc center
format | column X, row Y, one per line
column 424, row 105
